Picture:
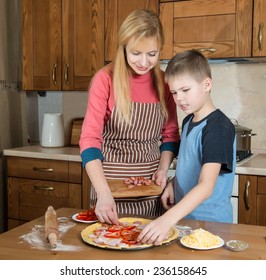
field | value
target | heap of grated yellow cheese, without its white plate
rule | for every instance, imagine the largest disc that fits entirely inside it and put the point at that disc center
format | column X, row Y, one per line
column 201, row 238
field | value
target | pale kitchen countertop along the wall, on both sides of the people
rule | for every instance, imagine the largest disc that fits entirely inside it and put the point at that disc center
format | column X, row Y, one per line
column 255, row 165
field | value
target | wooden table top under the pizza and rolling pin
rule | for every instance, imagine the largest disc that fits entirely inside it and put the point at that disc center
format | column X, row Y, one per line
column 12, row 247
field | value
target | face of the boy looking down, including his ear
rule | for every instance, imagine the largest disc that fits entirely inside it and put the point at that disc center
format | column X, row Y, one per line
column 190, row 95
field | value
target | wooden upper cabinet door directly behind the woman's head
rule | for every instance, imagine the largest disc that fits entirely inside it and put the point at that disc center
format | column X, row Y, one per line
column 115, row 13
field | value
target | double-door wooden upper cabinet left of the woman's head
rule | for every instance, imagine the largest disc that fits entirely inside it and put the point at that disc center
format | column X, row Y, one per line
column 62, row 43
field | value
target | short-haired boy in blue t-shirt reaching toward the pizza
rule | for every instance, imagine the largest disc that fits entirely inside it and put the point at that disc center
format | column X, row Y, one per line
column 202, row 187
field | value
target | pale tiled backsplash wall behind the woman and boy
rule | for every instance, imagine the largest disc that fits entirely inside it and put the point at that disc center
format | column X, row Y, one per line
column 239, row 90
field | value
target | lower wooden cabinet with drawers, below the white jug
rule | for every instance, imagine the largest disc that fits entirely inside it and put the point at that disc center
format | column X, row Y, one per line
column 34, row 184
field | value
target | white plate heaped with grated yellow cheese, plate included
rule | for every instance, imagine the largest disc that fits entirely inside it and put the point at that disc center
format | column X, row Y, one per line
column 201, row 239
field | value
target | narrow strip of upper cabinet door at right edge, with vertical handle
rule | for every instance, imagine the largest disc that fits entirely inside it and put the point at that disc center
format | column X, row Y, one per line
column 259, row 28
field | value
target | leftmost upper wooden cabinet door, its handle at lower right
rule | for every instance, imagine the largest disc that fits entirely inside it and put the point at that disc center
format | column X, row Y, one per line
column 41, row 44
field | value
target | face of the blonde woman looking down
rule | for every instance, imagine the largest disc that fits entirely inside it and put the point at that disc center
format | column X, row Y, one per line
column 143, row 55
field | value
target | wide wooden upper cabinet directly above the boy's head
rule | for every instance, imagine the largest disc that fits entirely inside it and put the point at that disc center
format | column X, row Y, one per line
column 219, row 29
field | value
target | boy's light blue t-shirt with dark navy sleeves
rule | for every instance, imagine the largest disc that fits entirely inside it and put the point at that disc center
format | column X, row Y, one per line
column 210, row 140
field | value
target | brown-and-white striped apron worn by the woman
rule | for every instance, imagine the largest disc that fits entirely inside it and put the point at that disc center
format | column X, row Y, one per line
column 133, row 150
